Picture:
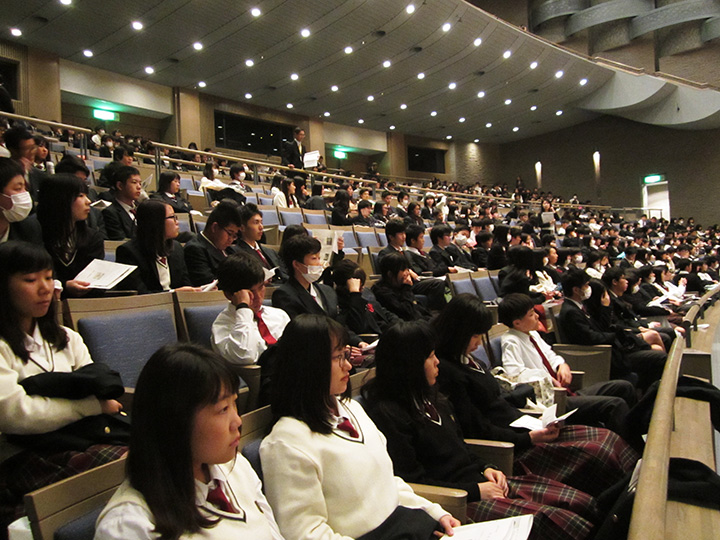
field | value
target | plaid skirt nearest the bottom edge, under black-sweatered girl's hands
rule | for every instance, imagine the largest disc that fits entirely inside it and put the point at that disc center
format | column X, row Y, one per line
column 559, row 511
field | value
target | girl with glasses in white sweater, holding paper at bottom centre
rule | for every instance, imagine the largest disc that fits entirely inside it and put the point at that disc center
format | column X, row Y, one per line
column 327, row 472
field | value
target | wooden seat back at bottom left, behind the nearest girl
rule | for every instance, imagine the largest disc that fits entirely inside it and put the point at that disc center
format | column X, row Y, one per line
column 68, row 509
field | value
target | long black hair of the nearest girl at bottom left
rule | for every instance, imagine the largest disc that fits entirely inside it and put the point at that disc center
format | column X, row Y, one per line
column 174, row 385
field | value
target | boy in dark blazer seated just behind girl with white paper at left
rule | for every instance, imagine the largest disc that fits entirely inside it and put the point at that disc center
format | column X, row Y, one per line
column 120, row 215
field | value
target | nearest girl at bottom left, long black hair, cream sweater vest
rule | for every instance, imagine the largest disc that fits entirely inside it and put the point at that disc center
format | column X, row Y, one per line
column 184, row 475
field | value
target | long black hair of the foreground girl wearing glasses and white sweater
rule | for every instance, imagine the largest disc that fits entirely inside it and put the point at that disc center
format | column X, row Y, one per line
column 301, row 382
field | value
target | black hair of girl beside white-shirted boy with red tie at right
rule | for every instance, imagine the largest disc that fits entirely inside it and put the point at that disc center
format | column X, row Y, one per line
column 463, row 317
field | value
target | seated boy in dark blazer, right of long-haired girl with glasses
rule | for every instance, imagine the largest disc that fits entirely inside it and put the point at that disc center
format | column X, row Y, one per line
column 207, row 250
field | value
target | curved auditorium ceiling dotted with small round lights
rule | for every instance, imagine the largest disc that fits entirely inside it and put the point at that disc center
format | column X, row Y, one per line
column 441, row 69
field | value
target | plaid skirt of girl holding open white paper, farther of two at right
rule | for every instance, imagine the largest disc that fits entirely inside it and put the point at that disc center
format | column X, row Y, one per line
column 587, row 458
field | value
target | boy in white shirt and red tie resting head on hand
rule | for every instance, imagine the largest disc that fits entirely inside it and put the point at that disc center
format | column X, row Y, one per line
column 245, row 329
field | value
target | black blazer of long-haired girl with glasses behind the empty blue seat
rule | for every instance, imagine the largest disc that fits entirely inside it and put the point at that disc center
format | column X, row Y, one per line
column 144, row 278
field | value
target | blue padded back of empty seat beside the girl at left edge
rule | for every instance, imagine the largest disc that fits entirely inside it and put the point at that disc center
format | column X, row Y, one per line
column 126, row 341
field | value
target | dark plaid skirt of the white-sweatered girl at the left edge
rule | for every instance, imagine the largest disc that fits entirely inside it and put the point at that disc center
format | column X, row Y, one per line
column 28, row 471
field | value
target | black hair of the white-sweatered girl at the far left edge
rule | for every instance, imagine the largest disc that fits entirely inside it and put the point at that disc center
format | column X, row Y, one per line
column 25, row 258
